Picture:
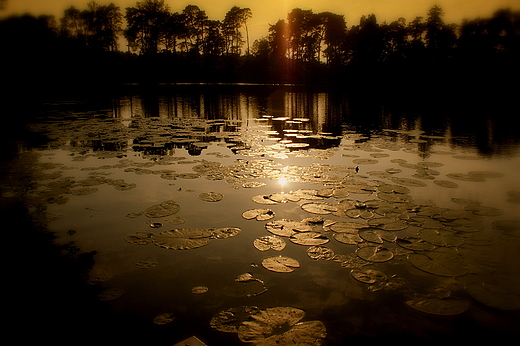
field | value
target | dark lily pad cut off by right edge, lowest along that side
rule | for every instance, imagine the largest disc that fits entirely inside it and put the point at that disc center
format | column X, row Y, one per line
column 494, row 295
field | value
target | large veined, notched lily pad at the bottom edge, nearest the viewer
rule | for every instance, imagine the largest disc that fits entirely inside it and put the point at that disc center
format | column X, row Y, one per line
column 262, row 328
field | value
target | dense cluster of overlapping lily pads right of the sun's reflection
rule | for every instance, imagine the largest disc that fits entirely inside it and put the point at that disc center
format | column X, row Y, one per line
column 440, row 241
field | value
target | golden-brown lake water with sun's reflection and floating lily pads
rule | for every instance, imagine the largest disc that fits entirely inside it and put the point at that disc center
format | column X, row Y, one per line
column 334, row 218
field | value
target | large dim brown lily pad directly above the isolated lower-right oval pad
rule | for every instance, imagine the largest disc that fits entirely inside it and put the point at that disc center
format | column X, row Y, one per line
column 441, row 261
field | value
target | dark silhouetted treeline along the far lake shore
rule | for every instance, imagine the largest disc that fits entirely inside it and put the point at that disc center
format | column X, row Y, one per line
column 164, row 46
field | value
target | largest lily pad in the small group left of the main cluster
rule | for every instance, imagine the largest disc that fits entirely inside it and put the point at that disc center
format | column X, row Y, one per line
column 183, row 238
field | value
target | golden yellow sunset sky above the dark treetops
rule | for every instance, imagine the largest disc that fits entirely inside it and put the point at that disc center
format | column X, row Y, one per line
column 267, row 12
